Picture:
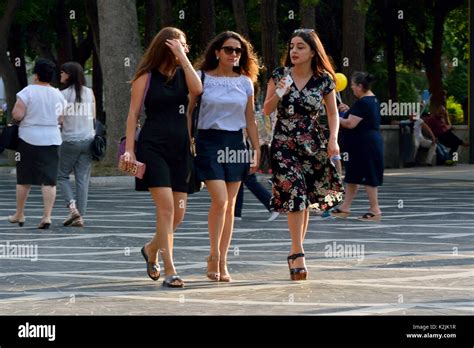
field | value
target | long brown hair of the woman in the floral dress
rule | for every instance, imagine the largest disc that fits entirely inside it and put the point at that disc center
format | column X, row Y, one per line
column 321, row 61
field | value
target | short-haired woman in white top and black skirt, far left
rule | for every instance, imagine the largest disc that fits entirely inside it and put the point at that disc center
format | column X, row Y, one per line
column 38, row 107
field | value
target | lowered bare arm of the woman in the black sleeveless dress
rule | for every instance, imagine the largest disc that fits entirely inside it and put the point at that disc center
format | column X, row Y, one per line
column 136, row 100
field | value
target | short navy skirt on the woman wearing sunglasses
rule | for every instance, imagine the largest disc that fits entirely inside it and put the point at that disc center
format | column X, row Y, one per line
column 221, row 155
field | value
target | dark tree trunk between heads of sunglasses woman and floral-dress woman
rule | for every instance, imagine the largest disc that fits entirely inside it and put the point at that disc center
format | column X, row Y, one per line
column 268, row 12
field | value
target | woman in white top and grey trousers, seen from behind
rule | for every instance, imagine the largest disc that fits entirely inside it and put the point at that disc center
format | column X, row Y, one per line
column 78, row 134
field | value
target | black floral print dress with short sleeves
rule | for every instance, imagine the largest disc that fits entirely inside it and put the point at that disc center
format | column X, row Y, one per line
column 303, row 174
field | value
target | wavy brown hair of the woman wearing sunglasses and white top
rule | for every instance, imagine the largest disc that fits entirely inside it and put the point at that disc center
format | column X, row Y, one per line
column 248, row 63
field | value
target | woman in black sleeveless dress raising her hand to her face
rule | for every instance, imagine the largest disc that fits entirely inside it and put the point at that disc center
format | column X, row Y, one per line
column 163, row 144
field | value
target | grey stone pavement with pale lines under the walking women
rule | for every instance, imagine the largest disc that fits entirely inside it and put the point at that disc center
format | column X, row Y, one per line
column 418, row 260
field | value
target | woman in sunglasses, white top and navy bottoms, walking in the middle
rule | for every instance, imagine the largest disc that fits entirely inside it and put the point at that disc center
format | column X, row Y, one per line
column 227, row 107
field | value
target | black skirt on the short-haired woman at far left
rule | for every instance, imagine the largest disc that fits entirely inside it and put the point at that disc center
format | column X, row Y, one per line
column 37, row 165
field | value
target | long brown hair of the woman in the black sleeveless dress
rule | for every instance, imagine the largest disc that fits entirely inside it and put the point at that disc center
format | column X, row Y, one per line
column 158, row 55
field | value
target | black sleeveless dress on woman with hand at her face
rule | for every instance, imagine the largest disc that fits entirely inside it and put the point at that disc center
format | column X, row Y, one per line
column 163, row 144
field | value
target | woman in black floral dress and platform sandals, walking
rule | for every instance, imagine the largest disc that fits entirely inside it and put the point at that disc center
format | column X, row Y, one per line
column 303, row 174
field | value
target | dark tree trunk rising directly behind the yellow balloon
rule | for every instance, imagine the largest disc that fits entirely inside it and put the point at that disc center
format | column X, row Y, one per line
column 353, row 41
